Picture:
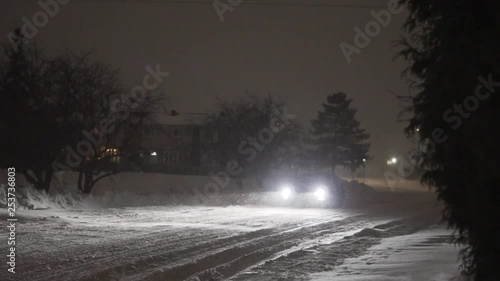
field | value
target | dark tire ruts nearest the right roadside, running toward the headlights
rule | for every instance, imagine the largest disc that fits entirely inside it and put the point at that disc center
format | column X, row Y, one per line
column 253, row 250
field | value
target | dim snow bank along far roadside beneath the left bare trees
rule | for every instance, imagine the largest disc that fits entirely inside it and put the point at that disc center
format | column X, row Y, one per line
column 125, row 189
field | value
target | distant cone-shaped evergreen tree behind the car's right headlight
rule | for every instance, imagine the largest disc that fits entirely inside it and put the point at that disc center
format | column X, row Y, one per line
column 337, row 135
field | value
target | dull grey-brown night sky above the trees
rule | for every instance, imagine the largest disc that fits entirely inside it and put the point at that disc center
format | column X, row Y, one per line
column 290, row 52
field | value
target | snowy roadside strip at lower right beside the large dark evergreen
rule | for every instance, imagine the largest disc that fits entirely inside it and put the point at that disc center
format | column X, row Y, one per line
column 422, row 256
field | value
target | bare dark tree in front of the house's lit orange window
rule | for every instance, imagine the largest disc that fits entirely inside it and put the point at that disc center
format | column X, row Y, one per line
column 101, row 125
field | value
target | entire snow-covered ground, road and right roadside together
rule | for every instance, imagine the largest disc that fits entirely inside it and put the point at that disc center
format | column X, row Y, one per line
column 389, row 236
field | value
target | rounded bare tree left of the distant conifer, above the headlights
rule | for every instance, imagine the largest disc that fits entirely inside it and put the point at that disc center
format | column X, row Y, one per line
column 254, row 132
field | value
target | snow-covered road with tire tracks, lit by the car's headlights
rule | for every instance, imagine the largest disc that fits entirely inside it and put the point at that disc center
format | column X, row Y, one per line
column 203, row 243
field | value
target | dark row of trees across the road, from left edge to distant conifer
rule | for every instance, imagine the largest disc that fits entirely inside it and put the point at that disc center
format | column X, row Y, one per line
column 61, row 114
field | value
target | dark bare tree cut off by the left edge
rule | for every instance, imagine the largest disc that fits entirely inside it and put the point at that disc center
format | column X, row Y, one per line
column 31, row 122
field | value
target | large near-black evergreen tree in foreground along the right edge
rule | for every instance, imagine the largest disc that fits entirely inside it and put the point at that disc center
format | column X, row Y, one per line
column 454, row 59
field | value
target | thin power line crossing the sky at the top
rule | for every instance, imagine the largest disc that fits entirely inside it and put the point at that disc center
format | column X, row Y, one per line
column 248, row 3
